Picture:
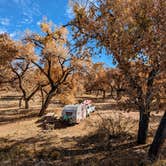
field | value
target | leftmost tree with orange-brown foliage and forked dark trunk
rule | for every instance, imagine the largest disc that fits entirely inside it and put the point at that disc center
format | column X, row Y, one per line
column 16, row 57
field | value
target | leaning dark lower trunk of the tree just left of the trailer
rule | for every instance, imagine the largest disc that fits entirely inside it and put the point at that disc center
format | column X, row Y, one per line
column 47, row 101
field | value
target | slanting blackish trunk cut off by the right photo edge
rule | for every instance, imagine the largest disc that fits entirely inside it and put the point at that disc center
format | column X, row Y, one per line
column 158, row 140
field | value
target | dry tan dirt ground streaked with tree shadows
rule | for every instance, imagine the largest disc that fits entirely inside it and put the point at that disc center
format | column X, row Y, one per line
column 24, row 141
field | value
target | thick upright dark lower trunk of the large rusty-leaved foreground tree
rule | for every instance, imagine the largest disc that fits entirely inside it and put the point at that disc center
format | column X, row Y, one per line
column 143, row 127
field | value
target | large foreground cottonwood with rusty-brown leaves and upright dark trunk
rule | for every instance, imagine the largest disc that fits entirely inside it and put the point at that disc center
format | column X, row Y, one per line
column 133, row 32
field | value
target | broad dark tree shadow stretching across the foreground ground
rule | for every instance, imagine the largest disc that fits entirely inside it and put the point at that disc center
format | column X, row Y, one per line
column 87, row 151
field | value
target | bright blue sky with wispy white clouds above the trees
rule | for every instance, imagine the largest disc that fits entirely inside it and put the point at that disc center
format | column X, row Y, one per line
column 16, row 16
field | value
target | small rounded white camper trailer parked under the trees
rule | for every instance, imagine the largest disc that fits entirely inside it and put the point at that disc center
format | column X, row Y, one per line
column 74, row 113
